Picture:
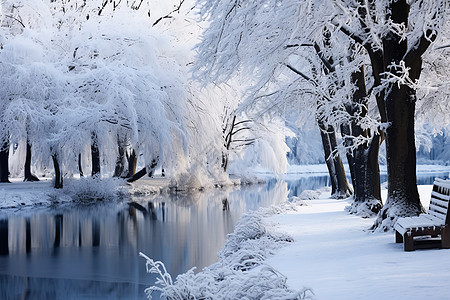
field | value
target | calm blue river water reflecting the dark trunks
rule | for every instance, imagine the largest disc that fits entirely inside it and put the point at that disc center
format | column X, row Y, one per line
column 92, row 251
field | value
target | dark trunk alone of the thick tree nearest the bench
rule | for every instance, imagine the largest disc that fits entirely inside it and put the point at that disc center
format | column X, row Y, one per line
column 403, row 197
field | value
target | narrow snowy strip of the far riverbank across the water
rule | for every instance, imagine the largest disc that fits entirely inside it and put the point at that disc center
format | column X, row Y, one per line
column 22, row 195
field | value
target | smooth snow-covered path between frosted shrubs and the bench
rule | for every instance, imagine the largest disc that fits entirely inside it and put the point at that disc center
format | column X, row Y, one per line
column 334, row 254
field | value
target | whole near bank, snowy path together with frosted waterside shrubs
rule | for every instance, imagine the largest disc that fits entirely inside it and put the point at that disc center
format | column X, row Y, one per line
column 323, row 252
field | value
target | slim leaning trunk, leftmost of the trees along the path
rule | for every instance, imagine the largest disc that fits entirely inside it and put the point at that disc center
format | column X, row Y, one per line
column 339, row 184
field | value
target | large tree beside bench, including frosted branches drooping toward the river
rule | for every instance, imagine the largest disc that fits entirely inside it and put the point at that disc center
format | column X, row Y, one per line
column 259, row 39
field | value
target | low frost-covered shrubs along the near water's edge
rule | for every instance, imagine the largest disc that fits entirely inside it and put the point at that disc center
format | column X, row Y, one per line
column 240, row 272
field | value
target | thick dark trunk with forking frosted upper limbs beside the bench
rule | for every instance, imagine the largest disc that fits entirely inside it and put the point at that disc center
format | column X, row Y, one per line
column 395, row 35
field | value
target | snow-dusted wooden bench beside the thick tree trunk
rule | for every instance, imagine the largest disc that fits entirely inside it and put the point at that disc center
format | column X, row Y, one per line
column 430, row 230
